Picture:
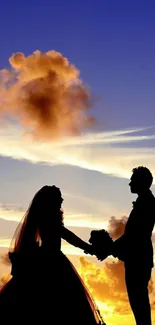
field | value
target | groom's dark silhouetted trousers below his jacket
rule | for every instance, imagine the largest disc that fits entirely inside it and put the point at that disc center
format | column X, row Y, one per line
column 137, row 278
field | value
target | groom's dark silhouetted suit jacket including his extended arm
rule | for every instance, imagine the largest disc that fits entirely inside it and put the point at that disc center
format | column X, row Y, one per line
column 135, row 246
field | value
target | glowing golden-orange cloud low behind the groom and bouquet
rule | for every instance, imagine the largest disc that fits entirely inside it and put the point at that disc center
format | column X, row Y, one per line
column 106, row 282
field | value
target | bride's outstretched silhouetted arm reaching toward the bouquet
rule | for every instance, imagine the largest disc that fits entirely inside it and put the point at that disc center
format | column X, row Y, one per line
column 74, row 240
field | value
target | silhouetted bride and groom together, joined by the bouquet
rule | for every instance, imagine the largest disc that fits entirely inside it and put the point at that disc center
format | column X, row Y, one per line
column 46, row 288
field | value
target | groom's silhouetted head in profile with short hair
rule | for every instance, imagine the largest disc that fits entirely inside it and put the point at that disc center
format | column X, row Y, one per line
column 141, row 180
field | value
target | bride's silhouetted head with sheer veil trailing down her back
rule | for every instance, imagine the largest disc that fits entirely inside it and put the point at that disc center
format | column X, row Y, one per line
column 44, row 205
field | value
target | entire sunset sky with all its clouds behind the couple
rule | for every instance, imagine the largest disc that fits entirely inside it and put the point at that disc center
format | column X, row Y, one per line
column 77, row 110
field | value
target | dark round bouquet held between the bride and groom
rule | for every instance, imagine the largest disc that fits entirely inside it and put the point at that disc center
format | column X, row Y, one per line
column 101, row 243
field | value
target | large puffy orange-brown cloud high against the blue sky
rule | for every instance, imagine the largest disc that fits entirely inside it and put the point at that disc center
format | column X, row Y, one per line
column 44, row 92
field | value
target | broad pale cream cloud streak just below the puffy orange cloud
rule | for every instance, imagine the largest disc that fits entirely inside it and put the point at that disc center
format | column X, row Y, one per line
column 106, row 152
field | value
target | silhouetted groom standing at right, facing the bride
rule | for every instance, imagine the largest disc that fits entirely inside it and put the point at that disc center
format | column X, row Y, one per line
column 135, row 246
